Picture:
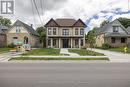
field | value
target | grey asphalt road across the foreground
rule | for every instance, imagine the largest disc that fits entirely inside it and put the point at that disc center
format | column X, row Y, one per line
column 64, row 74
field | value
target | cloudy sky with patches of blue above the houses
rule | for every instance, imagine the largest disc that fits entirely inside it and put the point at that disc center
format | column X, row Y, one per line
column 92, row 12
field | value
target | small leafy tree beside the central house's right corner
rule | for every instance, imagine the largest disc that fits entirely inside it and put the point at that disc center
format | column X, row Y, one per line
column 91, row 37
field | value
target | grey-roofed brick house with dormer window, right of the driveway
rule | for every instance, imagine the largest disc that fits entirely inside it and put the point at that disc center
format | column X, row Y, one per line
column 113, row 33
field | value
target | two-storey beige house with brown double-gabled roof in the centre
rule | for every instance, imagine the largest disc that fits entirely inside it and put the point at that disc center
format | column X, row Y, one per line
column 65, row 33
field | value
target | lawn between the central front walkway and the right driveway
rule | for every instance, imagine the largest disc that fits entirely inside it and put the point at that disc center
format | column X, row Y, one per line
column 84, row 52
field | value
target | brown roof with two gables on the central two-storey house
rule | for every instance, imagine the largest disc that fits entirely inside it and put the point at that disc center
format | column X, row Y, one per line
column 65, row 23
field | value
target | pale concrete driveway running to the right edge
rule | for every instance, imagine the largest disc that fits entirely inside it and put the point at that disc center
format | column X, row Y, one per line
column 114, row 56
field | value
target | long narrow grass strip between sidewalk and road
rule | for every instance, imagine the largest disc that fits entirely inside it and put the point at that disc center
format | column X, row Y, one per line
column 29, row 58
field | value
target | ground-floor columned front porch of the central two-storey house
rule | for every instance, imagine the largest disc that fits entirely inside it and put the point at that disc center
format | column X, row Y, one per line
column 65, row 42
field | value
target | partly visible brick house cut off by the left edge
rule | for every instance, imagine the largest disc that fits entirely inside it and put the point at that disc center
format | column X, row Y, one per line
column 3, row 30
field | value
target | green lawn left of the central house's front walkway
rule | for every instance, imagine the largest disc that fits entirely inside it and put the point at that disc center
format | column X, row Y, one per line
column 43, row 51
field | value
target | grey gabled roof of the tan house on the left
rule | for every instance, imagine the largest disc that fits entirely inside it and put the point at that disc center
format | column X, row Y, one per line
column 29, row 28
